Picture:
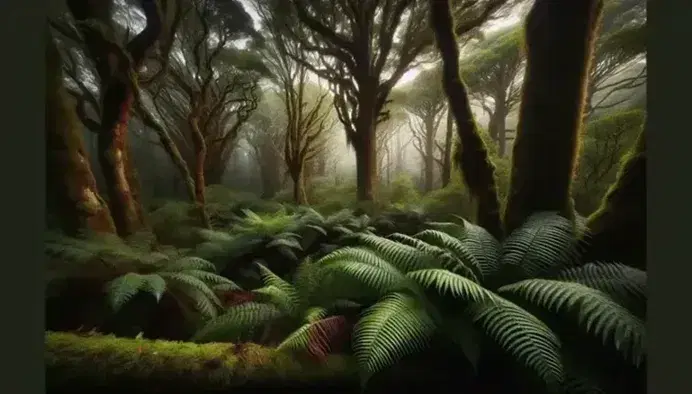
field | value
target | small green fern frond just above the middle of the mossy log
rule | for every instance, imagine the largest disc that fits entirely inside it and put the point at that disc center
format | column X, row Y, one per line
column 237, row 323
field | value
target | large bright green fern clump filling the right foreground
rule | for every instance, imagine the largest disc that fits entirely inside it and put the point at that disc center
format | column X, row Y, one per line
column 421, row 286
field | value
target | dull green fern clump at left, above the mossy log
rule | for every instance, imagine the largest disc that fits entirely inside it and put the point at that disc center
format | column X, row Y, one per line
column 125, row 271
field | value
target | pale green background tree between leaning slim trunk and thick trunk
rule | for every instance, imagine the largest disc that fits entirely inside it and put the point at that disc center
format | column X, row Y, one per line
column 493, row 74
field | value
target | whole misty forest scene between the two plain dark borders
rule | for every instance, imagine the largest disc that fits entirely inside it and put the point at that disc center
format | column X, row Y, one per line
column 361, row 196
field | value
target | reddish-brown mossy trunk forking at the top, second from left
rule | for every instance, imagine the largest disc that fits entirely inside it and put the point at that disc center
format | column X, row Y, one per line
column 116, row 66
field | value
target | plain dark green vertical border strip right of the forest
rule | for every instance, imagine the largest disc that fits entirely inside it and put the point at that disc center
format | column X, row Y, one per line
column 669, row 195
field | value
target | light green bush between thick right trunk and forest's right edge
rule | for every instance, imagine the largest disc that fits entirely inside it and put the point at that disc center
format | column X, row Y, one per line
column 605, row 143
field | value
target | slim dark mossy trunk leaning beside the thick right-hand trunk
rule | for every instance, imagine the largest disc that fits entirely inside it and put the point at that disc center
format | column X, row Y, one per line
column 472, row 157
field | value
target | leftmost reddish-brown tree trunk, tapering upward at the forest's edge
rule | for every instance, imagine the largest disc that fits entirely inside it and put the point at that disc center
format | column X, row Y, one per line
column 70, row 181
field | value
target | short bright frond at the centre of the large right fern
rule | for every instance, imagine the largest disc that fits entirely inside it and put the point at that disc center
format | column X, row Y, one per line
column 449, row 283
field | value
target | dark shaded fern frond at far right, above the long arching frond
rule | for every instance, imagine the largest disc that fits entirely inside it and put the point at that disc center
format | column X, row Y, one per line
column 624, row 284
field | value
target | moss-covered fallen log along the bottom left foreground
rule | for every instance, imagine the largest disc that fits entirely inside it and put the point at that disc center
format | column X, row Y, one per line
column 74, row 361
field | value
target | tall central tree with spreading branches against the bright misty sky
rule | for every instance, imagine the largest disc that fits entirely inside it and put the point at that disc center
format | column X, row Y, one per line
column 363, row 48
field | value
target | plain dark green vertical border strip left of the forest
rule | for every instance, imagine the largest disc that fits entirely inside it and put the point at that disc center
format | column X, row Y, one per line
column 22, row 175
